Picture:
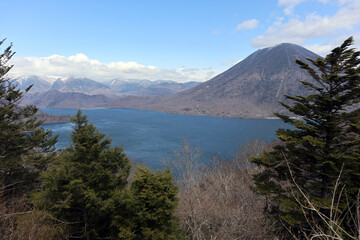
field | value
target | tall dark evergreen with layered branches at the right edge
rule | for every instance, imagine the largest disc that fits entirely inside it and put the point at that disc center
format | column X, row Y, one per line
column 323, row 142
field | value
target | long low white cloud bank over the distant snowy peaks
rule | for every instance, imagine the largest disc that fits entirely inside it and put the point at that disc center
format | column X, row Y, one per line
column 80, row 65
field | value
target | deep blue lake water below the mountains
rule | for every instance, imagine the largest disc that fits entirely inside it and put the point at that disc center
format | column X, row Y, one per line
column 151, row 136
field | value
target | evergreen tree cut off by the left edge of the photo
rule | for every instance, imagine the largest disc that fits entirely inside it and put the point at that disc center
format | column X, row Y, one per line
column 25, row 148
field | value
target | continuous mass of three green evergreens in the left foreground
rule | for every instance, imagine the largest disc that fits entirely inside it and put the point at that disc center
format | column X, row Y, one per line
column 84, row 187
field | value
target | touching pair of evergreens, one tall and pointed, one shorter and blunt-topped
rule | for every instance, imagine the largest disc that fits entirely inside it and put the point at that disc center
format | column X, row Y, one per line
column 87, row 189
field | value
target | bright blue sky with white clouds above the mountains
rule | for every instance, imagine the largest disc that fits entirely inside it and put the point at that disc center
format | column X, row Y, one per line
column 165, row 39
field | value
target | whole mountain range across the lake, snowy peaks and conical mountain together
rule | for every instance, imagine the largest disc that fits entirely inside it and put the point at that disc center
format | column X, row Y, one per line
column 249, row 89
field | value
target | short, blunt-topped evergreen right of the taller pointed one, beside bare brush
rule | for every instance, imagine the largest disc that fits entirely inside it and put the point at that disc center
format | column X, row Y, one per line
column 149, row 207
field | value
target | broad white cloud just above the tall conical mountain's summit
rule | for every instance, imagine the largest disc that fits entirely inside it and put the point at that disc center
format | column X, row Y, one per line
column 344, row 22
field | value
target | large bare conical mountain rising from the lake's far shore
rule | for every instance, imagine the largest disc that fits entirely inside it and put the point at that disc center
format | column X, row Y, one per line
column 250, row 89
